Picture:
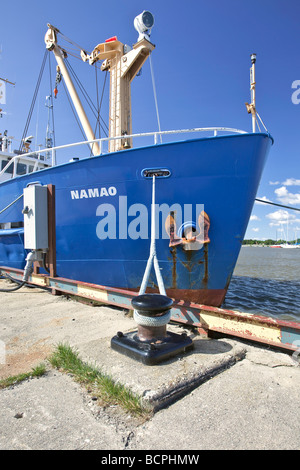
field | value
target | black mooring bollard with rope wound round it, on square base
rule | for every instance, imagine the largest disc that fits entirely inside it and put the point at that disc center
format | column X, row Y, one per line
column 151, row 343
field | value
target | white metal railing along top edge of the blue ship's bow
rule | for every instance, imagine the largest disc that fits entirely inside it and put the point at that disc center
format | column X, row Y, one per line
column 31, row 156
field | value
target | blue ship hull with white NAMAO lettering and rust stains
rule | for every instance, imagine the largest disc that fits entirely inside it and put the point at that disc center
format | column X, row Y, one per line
column 104, row 196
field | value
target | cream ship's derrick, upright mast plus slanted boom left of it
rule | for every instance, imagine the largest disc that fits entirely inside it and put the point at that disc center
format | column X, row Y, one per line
column 123, row 63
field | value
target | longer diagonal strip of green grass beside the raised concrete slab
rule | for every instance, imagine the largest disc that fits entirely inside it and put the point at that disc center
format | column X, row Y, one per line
column 107, row 390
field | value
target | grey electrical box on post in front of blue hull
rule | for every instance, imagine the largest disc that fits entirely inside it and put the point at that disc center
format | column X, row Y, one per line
column 35, row 217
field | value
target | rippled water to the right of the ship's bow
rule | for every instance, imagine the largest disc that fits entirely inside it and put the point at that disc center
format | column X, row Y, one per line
column 266, row 281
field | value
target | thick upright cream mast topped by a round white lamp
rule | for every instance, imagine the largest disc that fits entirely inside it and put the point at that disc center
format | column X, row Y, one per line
column 123, row 63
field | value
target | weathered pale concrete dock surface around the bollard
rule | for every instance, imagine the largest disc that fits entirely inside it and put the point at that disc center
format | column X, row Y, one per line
column 225, row 394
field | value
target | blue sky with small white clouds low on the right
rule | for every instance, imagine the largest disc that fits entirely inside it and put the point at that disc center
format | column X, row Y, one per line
column 201, row 65
